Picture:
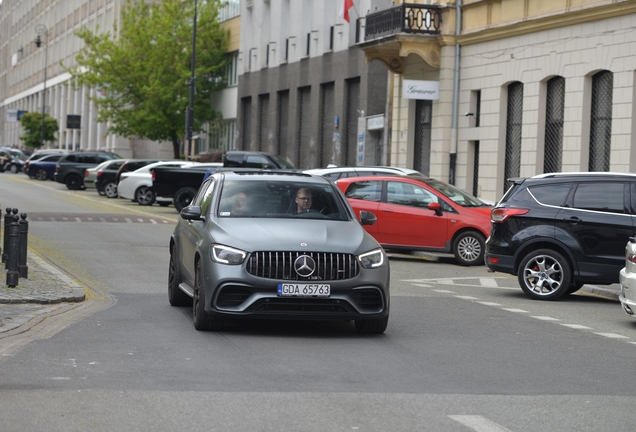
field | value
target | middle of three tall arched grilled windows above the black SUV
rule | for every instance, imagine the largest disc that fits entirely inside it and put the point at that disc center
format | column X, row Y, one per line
column 555, row 107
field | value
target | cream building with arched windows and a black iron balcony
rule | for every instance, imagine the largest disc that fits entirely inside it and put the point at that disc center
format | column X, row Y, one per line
column 525, row 87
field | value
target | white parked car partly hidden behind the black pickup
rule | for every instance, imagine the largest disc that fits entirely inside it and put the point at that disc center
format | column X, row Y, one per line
column 136, row 185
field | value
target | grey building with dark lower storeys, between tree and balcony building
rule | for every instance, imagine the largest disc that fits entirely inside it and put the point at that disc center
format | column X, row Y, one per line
column 305, row 90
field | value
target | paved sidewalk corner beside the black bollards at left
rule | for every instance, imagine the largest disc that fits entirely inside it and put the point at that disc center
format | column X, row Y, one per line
column 44, row 291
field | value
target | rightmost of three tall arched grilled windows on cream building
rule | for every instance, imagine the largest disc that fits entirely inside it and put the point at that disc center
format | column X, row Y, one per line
column 601, row 121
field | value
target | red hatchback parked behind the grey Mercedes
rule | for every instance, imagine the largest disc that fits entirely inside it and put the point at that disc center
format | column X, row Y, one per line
column 421, row 214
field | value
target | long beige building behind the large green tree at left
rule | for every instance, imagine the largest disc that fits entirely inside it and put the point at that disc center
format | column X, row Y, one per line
column 25, row 87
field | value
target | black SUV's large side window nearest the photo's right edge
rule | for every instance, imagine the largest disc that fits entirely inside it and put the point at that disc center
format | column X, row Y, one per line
column 605, row 197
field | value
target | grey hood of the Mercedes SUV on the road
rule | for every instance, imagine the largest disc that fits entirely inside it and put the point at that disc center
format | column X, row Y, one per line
column 292, row 235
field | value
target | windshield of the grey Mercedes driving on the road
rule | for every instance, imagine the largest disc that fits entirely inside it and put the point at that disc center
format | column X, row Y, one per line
column 281, row 199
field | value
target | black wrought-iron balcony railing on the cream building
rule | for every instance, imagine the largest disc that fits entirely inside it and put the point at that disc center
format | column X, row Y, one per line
column 404, row 18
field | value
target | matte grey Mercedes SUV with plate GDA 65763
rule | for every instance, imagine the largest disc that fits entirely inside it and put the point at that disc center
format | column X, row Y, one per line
column 276, row 245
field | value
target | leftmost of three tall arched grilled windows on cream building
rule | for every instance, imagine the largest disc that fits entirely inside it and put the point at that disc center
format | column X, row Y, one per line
column 512, row 167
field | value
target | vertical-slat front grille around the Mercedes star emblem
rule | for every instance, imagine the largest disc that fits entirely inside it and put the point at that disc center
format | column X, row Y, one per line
column 280, row 265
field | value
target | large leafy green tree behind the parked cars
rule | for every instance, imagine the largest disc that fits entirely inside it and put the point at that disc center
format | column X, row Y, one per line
column 141, row 70
